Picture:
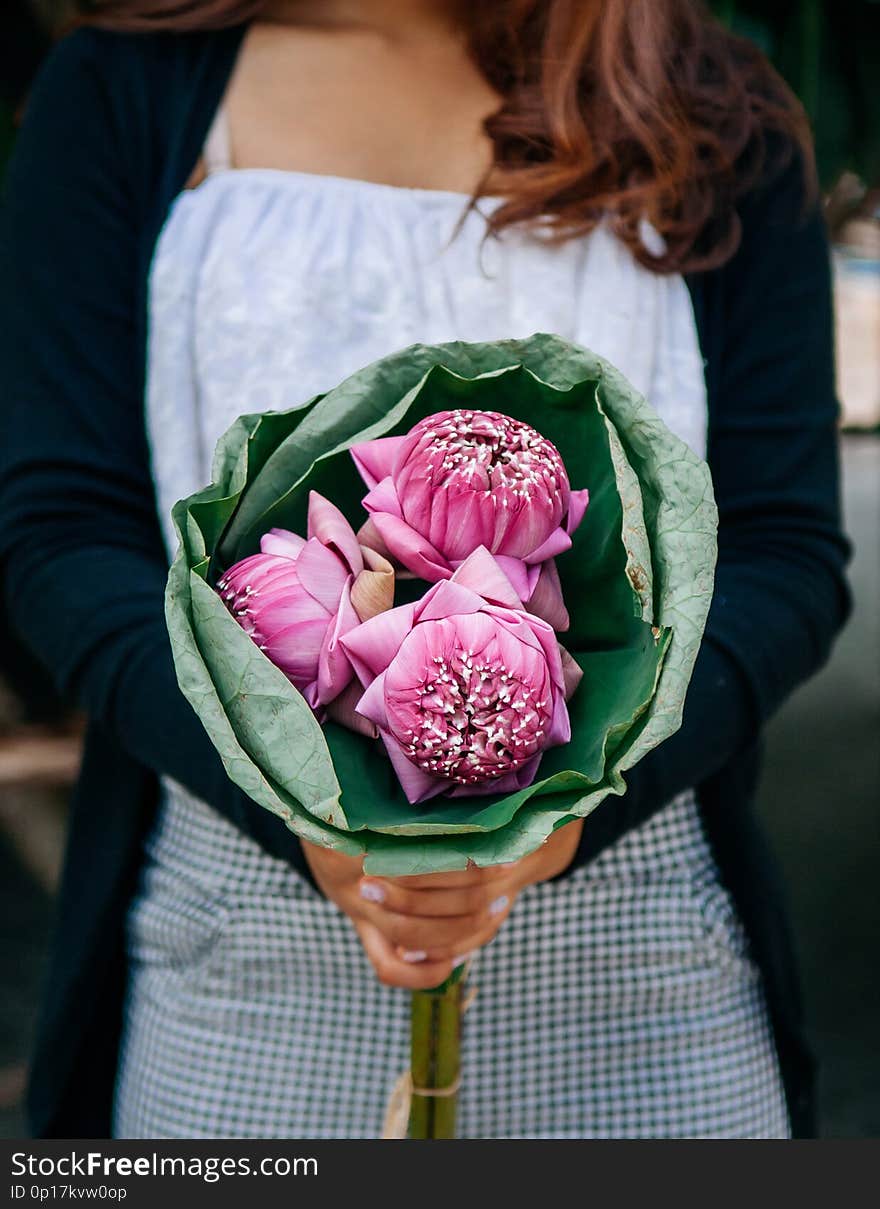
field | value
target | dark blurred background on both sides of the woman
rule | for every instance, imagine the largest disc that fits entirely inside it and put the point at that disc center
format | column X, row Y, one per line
column 821, row 790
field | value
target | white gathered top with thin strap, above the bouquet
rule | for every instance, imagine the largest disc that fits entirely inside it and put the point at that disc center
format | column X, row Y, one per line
column 270, row 287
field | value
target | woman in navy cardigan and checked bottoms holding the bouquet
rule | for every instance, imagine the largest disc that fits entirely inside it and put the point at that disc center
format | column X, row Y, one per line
column 277, row 194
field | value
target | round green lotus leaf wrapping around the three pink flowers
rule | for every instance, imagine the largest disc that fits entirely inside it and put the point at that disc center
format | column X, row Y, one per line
column 638, row 582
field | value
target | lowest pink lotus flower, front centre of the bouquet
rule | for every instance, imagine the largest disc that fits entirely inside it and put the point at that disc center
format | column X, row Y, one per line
column 466, row 696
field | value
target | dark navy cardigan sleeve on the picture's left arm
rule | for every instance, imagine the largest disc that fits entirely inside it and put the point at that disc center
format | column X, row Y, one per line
column 83, row 560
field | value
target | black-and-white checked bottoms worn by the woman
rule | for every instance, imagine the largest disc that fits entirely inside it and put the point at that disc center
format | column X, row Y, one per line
column 620, row 1003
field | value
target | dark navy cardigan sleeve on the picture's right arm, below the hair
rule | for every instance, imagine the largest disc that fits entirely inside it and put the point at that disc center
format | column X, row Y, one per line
column 767, row 334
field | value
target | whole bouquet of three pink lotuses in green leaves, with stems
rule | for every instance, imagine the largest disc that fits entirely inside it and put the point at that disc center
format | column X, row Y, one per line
column 436, row 614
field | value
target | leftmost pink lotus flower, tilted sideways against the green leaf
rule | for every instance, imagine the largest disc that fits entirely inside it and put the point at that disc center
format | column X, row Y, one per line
column 299, row 597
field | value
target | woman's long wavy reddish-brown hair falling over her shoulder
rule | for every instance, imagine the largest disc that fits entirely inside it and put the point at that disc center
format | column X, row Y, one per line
column 630, row 109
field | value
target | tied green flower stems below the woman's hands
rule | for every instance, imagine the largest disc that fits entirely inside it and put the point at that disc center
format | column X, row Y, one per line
column 436, row 1058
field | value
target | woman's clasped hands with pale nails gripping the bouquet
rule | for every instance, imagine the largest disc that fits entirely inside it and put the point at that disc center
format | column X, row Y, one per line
column 415, row 930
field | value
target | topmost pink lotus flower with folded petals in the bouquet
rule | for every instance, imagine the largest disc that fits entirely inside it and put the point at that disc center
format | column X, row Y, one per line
column 464, row 479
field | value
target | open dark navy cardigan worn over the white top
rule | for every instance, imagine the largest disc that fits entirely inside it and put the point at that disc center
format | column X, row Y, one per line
column 114, row 129
